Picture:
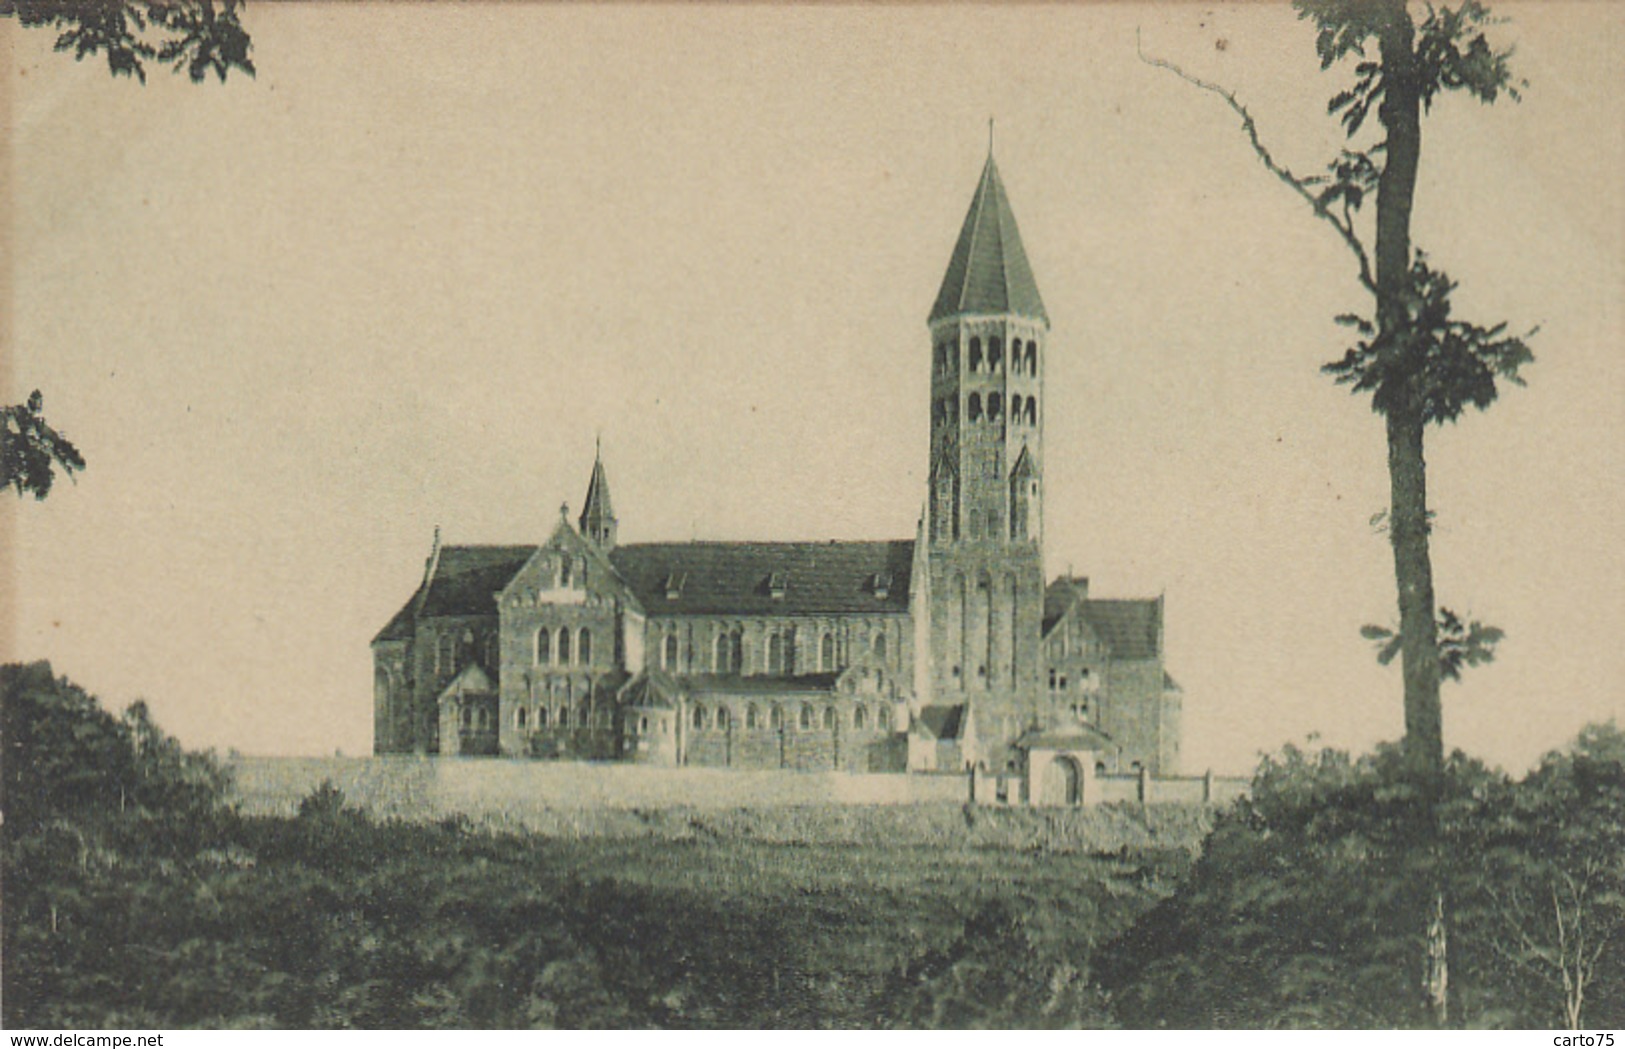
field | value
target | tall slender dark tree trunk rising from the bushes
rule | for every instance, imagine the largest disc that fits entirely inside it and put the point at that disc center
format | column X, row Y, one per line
column 1408, row 517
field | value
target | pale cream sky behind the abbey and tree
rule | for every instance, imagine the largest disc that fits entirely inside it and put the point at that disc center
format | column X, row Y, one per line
column 404, row 278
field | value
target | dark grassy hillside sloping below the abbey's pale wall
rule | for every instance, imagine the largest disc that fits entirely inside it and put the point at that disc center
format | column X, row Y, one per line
column 334, row 920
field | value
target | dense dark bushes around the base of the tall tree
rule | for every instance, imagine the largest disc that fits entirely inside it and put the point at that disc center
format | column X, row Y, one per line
column 1301, row 910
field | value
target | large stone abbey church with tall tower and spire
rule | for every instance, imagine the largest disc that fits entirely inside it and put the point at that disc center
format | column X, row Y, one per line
column 943, row 652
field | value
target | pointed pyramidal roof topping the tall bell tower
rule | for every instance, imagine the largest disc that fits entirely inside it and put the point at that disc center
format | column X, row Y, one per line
column 989, row 272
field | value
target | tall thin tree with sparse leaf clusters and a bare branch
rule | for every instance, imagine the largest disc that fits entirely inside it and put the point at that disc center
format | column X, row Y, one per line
column 1421, row 363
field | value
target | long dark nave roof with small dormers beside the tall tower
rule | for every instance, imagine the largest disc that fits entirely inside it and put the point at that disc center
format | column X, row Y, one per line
column 732, row 579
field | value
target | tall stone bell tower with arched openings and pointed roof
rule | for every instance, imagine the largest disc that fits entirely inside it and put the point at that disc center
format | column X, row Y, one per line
column 986, row 503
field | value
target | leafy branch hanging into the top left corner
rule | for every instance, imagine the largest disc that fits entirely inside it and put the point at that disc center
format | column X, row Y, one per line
column 199, row 37
